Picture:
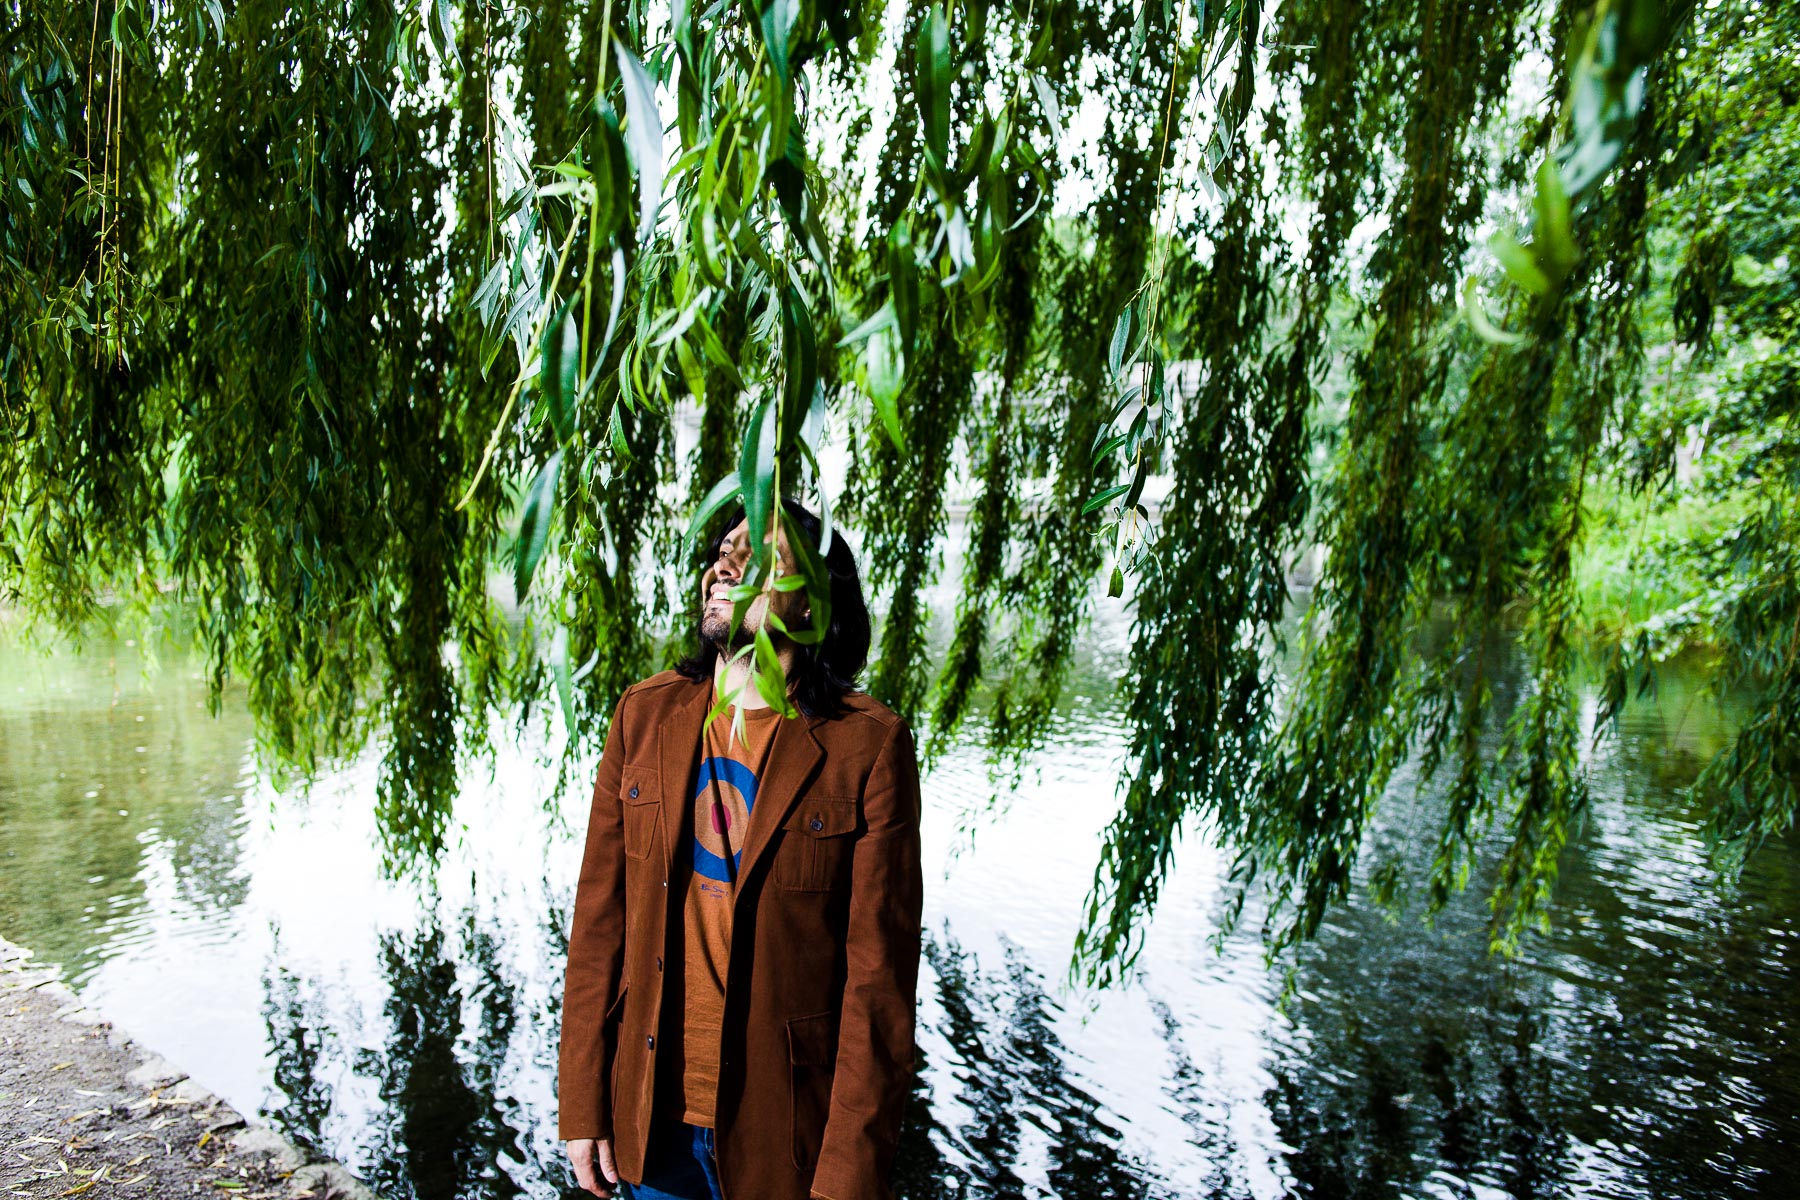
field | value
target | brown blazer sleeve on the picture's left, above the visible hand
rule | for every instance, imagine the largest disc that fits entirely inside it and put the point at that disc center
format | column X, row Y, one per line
column 597, row 956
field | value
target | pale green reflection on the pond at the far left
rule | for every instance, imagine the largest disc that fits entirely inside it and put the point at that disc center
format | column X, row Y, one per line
column 118, row 798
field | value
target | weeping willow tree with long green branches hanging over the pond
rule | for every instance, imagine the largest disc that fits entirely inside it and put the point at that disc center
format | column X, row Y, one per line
column 319, row 312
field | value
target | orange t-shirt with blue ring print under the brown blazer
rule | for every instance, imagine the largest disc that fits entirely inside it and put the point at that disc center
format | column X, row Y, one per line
column 708, row 866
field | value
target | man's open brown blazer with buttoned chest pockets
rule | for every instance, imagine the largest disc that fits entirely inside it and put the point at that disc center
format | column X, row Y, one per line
column 818, row 1046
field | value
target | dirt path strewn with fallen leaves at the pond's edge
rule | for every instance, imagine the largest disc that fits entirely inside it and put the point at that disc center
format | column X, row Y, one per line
column 89, row 1113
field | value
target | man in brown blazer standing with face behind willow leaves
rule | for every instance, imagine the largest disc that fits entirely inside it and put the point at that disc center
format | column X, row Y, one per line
column 744, row 953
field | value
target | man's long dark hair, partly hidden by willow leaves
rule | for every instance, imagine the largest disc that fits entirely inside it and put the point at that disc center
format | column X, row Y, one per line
column 827, row 670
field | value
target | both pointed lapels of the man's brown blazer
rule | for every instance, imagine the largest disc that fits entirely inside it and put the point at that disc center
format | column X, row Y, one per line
column 793, row 758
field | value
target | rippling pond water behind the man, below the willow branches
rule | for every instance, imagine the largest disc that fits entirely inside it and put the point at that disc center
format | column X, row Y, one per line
column 1648, row 1048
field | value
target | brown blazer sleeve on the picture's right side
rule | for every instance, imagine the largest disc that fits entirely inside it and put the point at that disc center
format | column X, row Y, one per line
column 876, row 1032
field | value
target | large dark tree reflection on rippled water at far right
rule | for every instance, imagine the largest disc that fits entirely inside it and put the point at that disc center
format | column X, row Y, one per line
column 1630, row 1050
